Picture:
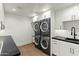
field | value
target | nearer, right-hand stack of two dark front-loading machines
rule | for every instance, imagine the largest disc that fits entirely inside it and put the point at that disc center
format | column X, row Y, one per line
column 45, row 35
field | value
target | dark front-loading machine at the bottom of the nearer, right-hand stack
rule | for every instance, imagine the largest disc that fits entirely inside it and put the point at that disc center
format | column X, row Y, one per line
column 45, row 44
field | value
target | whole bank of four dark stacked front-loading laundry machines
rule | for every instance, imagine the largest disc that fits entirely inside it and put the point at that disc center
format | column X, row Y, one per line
column 42, row 35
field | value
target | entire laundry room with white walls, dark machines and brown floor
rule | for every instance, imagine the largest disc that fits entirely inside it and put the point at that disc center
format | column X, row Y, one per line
column 39, row 29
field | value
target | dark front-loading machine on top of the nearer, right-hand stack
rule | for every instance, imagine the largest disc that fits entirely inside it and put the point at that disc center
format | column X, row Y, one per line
column 45, row 27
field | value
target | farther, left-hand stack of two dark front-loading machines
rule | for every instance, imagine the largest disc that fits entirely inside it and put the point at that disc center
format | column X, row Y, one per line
column 36, row 26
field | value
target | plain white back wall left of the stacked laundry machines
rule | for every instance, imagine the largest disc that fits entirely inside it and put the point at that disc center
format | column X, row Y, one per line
column 19, row 27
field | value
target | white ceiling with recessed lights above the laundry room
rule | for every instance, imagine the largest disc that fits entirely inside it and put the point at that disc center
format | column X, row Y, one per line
column 28, row 9
